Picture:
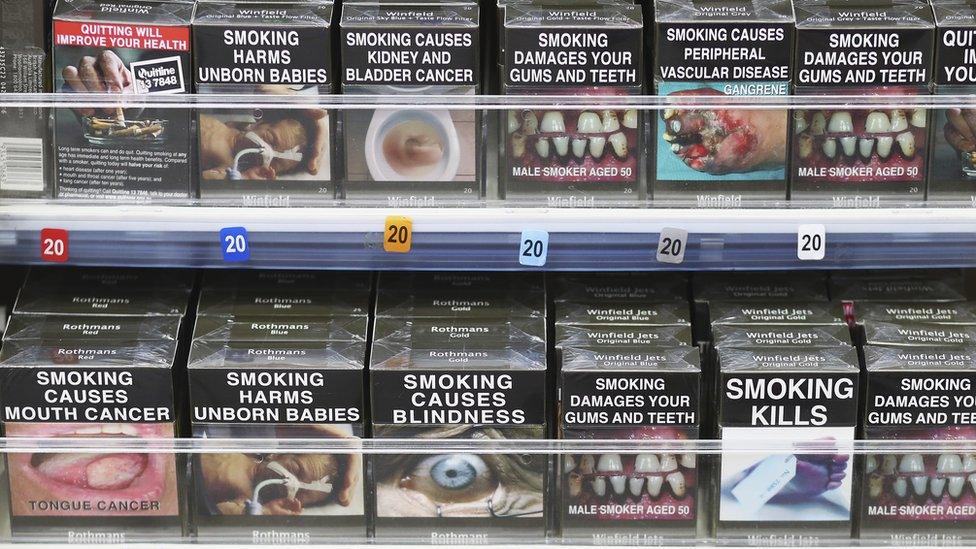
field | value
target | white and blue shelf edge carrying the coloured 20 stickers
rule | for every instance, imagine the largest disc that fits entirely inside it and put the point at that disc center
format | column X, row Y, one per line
column 489, row 238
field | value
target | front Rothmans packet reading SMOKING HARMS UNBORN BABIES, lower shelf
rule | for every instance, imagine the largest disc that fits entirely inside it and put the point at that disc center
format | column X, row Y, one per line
column 278, row 390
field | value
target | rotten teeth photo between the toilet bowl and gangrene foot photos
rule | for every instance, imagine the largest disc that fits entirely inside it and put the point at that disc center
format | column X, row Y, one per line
column 567, row 145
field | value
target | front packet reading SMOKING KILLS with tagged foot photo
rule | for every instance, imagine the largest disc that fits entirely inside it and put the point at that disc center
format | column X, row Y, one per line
column 804, row 492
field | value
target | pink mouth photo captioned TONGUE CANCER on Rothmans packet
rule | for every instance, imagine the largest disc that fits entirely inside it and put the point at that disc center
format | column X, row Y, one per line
column 86, row 484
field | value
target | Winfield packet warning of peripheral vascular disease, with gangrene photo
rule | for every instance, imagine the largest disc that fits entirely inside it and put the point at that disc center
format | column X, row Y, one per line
column 724, row 156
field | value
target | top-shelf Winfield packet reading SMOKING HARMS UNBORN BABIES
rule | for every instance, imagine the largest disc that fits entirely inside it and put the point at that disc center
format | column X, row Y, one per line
column 265, row 156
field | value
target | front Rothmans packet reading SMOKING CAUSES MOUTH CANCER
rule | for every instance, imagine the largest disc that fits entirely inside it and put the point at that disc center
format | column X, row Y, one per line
column 92, row 387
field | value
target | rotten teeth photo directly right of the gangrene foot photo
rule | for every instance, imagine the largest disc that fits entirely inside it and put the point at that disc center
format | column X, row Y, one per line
column 860, row 145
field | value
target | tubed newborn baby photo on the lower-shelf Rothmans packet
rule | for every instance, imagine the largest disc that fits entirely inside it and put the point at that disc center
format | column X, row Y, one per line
column 281, row 483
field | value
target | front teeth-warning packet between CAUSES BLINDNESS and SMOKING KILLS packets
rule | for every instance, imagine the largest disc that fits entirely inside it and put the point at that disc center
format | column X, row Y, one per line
column 630, row 393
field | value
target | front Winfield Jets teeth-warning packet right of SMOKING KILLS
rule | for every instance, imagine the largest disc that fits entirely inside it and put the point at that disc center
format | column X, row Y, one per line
column 927, row 395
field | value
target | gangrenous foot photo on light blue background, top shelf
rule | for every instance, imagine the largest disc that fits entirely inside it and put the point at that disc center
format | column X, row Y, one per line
column 732, row 142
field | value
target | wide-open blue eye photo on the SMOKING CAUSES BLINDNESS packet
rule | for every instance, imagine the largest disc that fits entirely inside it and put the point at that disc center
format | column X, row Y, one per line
column 460, row 484
